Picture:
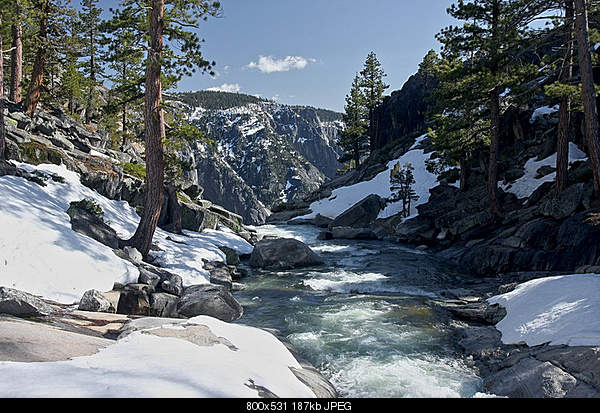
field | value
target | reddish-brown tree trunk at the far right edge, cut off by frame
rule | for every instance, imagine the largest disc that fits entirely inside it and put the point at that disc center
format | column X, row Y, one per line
column 589, row 96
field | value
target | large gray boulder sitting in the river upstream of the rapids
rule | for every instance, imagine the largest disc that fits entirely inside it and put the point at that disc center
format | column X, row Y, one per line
column 283, row 254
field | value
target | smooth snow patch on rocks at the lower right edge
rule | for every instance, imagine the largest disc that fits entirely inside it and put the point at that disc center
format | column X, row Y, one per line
column 560, row 310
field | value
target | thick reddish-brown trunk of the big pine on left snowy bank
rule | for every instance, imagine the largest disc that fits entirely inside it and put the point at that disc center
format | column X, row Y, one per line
column 154, row 134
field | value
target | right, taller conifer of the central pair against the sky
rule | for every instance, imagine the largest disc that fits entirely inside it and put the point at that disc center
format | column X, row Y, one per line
column 371, row 81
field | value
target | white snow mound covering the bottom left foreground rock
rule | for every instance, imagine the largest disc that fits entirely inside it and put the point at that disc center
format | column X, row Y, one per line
column 145, row 365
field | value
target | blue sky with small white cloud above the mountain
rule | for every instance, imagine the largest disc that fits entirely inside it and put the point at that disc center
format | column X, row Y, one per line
column 311, row 49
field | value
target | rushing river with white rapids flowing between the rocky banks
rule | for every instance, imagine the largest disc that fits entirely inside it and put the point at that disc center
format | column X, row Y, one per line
column 364, row 319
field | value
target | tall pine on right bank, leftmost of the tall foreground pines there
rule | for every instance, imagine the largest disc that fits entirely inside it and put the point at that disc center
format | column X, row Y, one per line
column 489, row 43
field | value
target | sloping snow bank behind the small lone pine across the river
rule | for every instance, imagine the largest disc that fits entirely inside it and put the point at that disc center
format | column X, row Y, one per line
column 345, row 197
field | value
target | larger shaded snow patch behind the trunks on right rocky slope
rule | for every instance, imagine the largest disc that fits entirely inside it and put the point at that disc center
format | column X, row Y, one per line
column 528, row 183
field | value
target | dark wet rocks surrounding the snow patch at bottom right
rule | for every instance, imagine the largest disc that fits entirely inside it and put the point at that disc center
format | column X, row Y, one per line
column 516, row 370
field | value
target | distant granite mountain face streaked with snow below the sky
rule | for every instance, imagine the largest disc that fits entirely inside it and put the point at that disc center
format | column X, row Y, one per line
column 262, row 153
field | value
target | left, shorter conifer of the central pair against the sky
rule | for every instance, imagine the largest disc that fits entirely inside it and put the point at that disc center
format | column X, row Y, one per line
column 353, row 139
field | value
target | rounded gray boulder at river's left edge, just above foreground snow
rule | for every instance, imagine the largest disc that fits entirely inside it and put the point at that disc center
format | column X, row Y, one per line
column 211, row 300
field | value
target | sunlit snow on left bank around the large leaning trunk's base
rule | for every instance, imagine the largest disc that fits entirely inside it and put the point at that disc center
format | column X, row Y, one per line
column 41, row 254
